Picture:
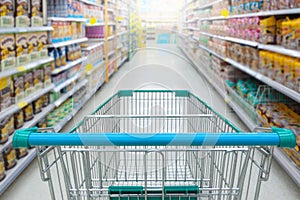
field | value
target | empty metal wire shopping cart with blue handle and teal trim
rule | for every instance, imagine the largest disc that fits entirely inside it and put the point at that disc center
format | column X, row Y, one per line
column 154, row 145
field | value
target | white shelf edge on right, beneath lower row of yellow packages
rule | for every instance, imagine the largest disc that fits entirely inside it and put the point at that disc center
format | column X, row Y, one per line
column 274, row 84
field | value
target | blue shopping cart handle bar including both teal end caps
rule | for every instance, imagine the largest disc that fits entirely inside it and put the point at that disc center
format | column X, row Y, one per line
column 31, row 137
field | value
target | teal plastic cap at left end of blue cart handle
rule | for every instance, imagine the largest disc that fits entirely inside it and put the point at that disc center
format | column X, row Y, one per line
column 21, row 137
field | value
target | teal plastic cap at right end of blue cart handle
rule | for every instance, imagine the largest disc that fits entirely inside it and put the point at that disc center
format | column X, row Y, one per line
column 287, row 137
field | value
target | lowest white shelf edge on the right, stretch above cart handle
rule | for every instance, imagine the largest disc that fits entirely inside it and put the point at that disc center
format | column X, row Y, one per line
column 239, row 111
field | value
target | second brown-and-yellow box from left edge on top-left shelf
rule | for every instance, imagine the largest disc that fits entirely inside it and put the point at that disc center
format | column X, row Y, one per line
column 21, row 13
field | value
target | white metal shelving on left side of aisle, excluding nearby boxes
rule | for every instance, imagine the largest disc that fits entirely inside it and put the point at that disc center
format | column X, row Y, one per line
column 120, row 37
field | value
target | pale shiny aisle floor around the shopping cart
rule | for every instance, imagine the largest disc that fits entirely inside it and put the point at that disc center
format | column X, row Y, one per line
column 153, row 69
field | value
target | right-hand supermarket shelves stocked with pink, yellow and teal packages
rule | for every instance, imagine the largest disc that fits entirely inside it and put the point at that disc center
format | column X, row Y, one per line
column 253, row 40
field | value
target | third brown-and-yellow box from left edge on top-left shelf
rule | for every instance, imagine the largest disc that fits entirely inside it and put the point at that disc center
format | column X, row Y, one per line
column 36, row 11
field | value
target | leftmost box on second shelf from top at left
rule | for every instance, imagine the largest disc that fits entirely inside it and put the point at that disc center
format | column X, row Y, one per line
column 7, row 51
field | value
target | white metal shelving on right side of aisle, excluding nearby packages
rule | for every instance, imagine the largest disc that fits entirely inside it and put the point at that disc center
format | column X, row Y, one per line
column 192, row 39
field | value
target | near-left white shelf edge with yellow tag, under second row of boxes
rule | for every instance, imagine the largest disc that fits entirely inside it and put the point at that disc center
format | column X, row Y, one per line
column 26, row 67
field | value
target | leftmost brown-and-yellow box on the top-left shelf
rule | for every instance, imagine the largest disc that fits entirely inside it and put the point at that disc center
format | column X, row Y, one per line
column 7, row 14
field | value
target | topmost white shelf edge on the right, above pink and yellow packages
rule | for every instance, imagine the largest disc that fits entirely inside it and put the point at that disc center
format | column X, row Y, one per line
column 294, row 11
